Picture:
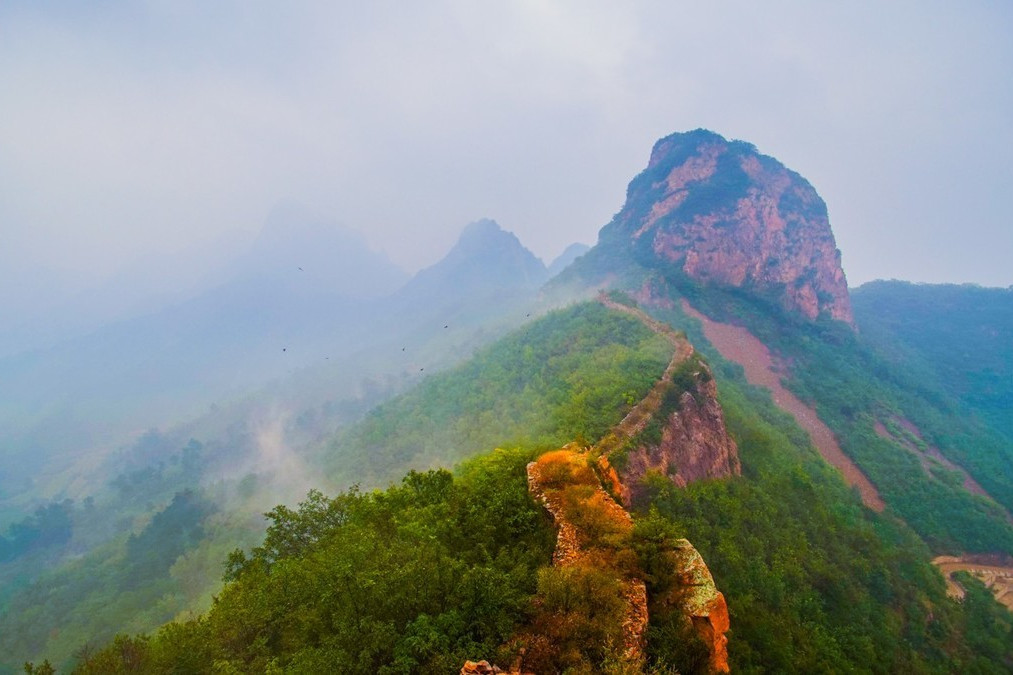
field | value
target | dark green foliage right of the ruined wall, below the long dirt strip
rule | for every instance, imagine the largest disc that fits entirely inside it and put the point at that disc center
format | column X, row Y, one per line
column 815, row 582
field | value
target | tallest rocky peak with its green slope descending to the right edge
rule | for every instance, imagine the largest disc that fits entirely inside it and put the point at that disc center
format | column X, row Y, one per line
column 856, row 391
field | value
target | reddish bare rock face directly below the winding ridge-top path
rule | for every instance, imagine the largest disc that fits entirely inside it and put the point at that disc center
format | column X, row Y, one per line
column 695, row 443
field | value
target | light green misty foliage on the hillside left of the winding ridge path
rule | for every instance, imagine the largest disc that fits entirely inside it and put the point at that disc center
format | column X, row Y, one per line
column 571, row 376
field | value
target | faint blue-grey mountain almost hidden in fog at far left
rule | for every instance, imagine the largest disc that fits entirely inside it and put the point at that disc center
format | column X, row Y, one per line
column 266, row 320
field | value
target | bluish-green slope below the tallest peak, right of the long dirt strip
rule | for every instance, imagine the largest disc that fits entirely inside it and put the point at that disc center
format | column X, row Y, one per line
column 853, row 383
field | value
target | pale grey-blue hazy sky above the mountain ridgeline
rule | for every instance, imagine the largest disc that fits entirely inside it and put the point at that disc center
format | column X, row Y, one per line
column 129, row 130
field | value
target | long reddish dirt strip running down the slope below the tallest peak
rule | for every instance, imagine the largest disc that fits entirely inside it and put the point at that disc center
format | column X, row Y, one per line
column 739, row 345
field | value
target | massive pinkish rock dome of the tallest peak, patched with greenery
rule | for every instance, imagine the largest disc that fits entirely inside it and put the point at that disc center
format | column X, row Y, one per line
column 726, row 215
